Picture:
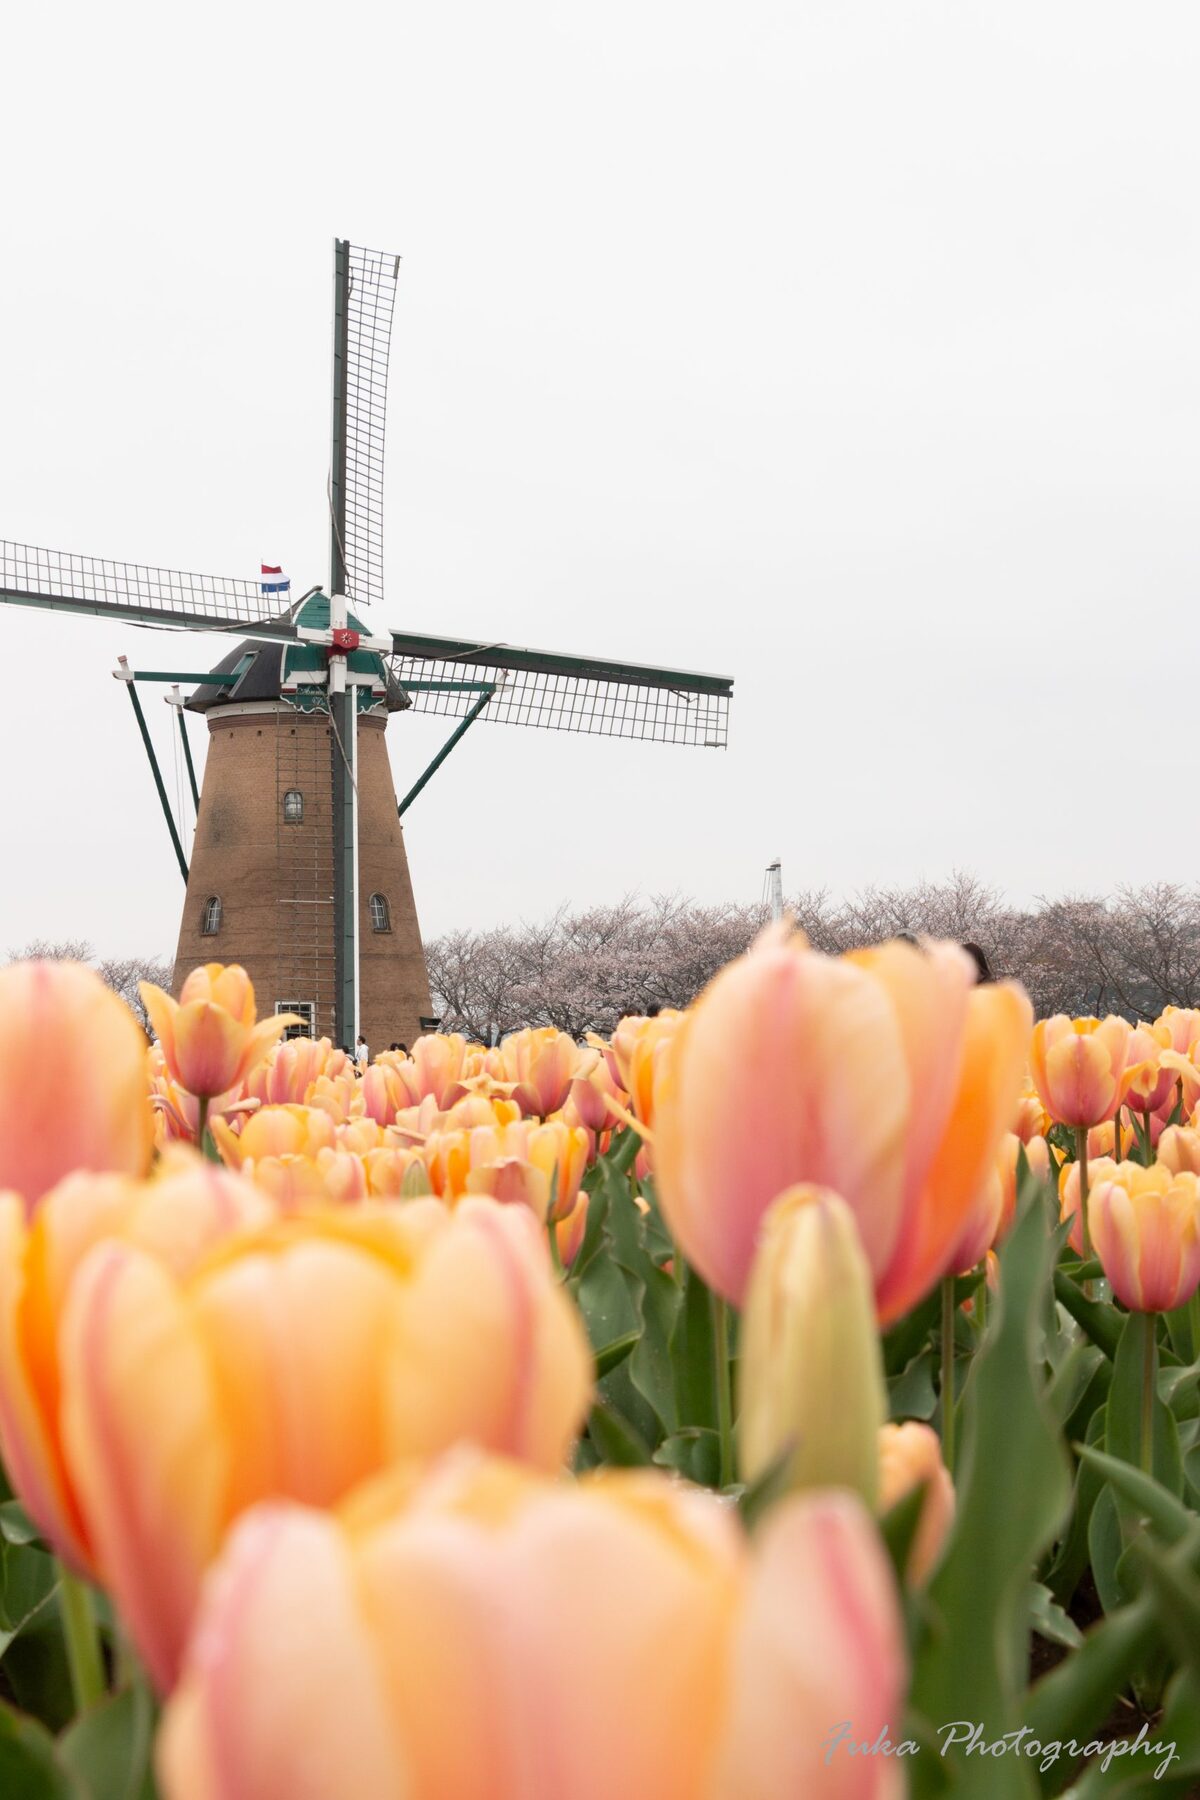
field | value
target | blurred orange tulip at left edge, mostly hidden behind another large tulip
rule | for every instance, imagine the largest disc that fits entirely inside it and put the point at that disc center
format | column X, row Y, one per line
column 179, row 1218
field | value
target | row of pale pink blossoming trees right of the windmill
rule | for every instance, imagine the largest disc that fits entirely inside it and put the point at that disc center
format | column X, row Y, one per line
column 1134, row 953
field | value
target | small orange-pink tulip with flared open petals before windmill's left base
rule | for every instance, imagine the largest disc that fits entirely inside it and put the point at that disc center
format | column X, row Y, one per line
column 210, row 1039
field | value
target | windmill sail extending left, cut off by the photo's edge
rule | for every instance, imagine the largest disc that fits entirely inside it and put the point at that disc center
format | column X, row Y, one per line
column 64, row 582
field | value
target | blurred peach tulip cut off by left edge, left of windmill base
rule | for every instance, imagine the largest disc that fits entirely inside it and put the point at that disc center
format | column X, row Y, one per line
column 73, row 1079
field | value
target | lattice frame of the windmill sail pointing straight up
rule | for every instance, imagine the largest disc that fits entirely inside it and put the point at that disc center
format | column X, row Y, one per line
column 368, row 343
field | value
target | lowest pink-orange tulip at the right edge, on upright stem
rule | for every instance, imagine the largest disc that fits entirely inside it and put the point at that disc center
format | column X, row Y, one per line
column 1145, row 1225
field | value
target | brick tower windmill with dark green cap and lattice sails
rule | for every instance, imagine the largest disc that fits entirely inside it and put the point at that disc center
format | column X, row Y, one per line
column 298, row 795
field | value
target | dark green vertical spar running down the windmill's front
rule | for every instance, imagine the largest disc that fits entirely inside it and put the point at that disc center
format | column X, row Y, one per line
column 343, row 701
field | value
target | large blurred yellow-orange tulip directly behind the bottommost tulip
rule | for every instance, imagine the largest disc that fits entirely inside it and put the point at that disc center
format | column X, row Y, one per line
column 298, row 1363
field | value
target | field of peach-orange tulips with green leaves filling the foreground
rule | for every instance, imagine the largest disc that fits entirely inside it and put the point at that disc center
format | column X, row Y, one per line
column 796, row 1396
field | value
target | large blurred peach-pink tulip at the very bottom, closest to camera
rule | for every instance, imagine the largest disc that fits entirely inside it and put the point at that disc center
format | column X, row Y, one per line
column 487, row 1635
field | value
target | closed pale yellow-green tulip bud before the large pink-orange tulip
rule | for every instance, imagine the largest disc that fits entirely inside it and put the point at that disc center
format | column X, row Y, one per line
column 810, row 1367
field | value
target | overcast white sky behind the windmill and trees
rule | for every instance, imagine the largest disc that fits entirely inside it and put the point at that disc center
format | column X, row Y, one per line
column 850, row 350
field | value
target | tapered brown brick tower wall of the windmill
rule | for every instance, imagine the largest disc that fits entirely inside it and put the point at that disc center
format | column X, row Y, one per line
column 274, row 877
